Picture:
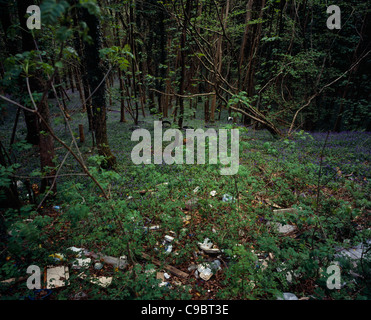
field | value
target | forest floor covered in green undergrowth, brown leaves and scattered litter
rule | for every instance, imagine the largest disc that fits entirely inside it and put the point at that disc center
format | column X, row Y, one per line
column 261, row 249
